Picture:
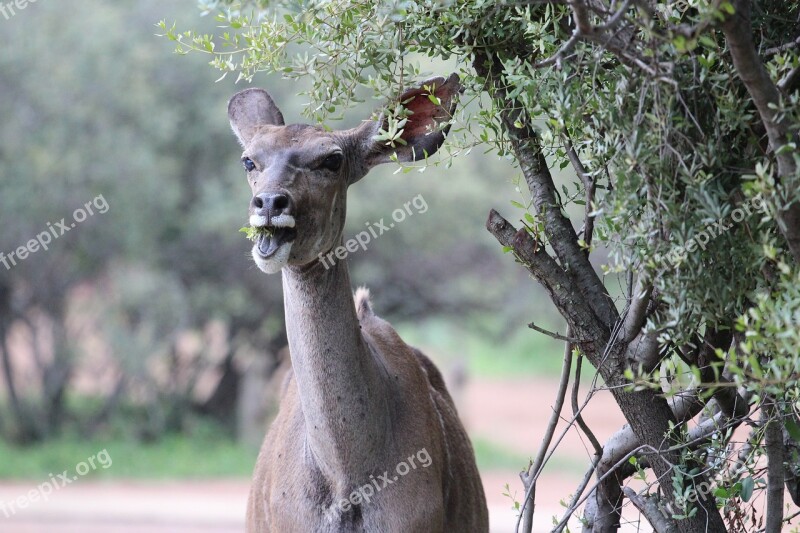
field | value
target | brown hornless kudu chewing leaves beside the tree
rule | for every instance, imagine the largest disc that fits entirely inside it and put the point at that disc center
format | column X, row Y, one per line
column 367, row 437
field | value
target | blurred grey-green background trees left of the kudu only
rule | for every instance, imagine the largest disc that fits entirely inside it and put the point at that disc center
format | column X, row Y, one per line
column 114, row 124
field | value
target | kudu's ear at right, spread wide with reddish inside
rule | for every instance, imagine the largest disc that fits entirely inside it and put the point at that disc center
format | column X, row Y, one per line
column 431, row 106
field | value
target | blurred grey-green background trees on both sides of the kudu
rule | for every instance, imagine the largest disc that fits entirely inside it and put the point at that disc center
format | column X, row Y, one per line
column 144, row 322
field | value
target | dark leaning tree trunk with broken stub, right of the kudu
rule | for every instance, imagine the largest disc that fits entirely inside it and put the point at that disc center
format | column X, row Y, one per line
column 582, row 299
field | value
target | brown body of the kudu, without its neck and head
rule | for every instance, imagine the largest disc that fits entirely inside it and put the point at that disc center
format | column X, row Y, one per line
column 445, row 497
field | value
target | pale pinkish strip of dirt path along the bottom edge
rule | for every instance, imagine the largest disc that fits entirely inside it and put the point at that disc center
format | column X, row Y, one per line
column 189, row 507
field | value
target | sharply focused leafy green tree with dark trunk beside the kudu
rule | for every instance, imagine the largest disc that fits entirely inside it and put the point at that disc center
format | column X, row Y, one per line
column 679, row 121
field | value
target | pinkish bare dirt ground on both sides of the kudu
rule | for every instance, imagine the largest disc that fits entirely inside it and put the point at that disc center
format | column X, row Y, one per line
column 500, row 413
